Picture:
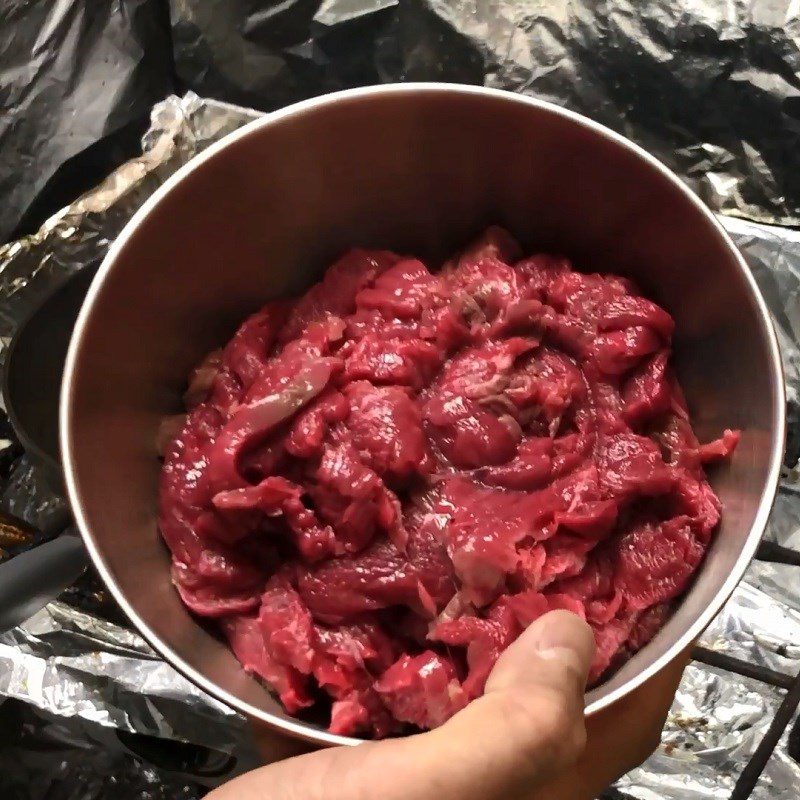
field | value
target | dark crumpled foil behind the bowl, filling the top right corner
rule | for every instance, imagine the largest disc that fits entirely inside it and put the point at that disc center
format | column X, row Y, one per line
column 709, row 87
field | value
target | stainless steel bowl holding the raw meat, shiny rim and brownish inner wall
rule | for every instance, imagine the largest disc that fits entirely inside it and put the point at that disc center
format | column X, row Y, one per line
column 418, row 168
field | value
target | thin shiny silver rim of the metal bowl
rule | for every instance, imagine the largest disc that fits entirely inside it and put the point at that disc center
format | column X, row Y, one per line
column 296, row 728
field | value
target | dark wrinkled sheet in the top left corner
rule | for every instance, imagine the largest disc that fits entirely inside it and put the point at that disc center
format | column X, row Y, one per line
column 73, row 72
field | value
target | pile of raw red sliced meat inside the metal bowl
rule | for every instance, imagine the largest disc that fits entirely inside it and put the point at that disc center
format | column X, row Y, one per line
column 378, row 486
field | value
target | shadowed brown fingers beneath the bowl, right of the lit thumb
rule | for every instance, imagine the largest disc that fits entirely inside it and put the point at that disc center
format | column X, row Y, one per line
column 620, row 737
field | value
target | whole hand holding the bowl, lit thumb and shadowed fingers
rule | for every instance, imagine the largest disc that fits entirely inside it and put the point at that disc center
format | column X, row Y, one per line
column 525, row 738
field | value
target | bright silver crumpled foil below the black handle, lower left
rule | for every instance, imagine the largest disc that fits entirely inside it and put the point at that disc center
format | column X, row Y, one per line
column 80, row 665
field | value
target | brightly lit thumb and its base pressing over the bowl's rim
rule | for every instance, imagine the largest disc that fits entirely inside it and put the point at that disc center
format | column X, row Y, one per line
column 528, row 724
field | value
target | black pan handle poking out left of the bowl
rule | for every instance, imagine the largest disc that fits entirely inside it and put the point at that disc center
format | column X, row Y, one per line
column 32, row 579
